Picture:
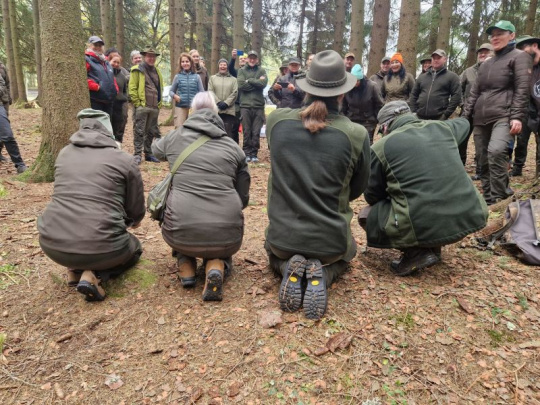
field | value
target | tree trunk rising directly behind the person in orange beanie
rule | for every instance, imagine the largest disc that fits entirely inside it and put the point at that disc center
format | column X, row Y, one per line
column 408, row 33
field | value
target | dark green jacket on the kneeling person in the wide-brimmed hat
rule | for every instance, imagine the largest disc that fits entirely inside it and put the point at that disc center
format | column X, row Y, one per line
column 313, row 177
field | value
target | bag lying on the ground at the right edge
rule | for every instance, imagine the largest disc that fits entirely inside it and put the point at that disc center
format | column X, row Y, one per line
column 520, row 232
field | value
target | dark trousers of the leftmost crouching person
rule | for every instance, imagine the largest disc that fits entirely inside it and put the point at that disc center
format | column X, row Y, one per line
column 105, row 265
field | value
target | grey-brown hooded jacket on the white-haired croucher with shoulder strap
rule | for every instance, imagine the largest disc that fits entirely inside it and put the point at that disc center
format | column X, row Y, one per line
column 210, row 188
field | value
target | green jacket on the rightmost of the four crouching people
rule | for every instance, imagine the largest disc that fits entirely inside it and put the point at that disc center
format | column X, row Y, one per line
column 418, row 189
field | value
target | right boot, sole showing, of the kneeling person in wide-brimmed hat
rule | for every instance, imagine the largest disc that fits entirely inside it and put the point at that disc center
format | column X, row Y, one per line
column 316, row 295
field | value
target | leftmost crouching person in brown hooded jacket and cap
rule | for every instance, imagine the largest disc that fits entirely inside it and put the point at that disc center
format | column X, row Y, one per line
column 98, row 195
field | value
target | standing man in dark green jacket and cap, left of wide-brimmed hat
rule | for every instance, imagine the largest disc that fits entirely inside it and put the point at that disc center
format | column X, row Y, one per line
column 252, row 80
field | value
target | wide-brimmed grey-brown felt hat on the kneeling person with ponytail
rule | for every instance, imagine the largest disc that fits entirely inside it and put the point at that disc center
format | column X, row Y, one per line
column 327, row 76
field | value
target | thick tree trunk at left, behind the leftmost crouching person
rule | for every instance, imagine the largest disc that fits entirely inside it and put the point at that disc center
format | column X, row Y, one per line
column 65, row 91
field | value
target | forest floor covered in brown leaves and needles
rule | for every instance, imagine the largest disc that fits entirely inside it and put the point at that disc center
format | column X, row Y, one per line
column 463, row 332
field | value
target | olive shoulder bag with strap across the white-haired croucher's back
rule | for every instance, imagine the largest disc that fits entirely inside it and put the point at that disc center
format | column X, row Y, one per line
column 157, row 197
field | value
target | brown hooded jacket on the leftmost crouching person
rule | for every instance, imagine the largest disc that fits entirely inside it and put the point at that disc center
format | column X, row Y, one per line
column 98, row 193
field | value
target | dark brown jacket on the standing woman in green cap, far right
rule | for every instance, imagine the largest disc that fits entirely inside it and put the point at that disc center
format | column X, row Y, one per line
column 501, row 90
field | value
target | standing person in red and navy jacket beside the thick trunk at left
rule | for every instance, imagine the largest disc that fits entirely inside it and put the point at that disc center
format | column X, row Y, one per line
column 100, row 76
